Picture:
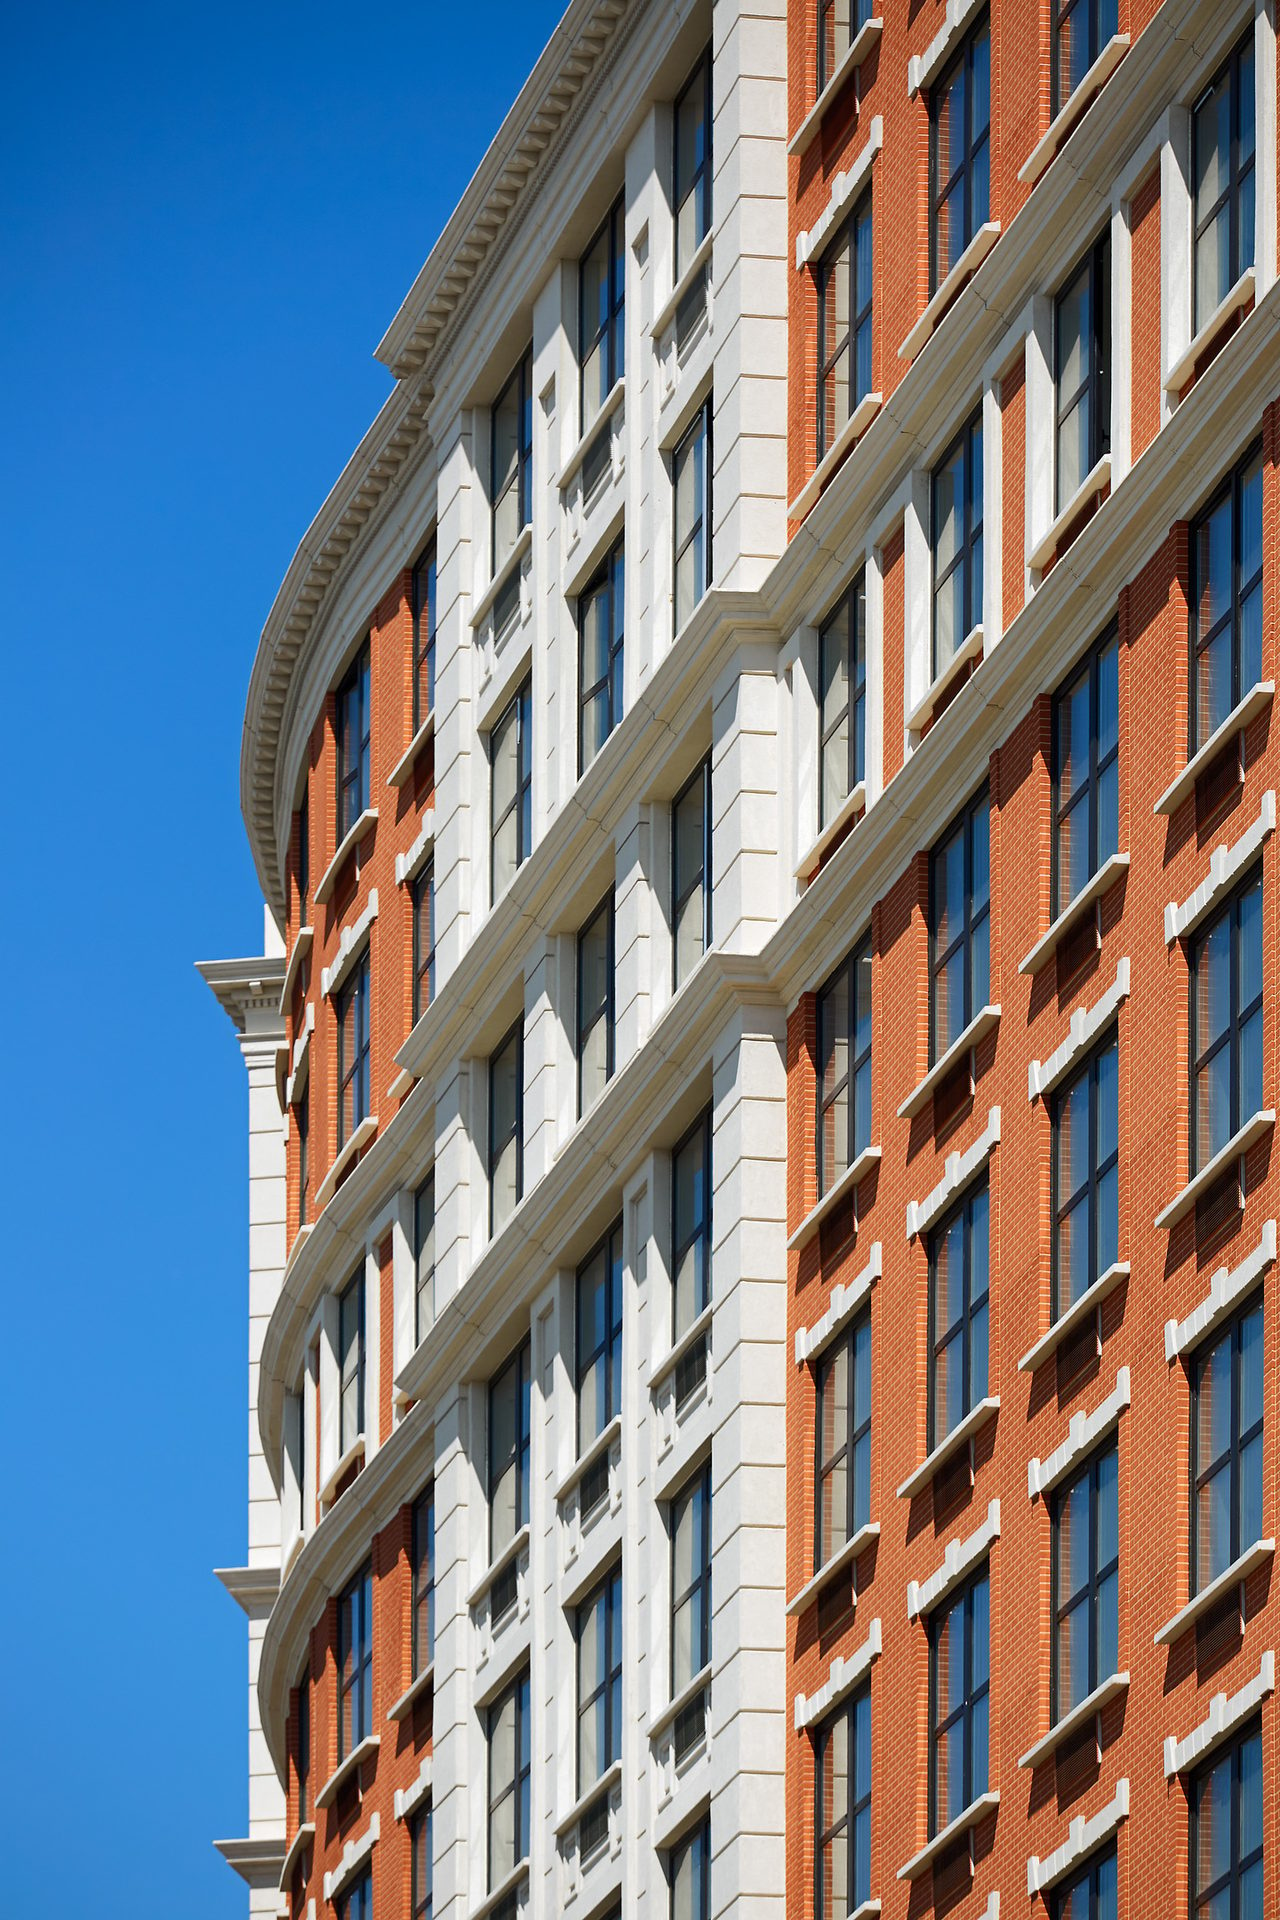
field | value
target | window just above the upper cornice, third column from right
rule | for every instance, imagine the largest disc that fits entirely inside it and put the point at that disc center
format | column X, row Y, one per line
column 959, row 155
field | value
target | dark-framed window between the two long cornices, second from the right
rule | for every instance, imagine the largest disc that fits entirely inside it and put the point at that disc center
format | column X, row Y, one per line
column 1083, row 372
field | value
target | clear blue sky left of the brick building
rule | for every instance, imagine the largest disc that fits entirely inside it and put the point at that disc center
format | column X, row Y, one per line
column 206, row 222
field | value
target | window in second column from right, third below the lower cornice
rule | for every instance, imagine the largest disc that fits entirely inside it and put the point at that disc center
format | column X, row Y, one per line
column 1087, row 1577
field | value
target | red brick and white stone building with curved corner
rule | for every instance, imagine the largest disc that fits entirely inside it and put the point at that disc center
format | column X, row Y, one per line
column 763, row 1070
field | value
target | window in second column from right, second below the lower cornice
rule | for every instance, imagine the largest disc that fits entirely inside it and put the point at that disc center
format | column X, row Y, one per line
column 1087, row 1207
